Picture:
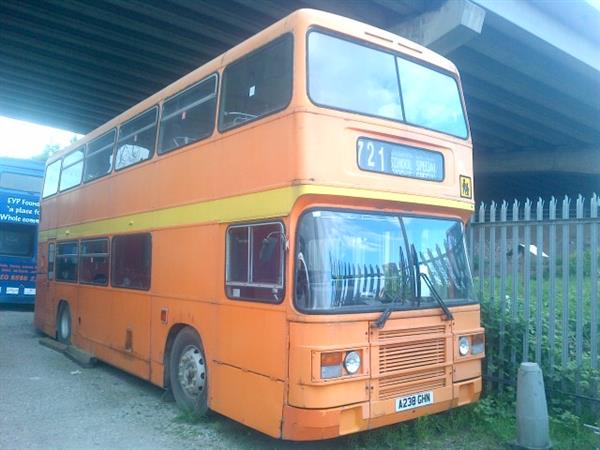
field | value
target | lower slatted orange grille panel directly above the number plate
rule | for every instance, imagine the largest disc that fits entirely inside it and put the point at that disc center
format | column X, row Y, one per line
column 398, row 385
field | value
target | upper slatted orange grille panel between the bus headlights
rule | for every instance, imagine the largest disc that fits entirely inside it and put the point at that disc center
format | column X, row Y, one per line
column 411, row 355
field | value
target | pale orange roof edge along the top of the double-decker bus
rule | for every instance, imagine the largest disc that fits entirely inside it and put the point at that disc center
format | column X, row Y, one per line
column 300, row 19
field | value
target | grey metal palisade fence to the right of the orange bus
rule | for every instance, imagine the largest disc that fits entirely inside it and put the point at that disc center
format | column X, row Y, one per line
column 536, row 271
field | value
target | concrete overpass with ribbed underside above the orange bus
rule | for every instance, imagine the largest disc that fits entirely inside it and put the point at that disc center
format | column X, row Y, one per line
column 530, row 69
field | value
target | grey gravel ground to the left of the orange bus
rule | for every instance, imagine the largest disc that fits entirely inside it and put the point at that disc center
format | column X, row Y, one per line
column 49, row 402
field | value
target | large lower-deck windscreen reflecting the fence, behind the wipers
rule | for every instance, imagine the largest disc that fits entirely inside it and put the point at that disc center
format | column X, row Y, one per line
column 354, row 261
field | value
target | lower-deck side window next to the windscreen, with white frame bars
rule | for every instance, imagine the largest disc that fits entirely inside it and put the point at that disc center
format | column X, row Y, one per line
column 255, row 262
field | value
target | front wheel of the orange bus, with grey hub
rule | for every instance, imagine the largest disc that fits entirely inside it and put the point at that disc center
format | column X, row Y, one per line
column 188, row 372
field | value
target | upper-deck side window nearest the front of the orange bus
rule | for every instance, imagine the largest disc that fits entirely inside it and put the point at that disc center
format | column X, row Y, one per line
column 257, row 84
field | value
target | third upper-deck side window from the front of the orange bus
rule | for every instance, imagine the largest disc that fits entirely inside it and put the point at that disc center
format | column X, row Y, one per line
column 136, row 139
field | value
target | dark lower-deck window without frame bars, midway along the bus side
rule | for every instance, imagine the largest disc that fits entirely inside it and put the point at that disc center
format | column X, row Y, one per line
column 131, row 259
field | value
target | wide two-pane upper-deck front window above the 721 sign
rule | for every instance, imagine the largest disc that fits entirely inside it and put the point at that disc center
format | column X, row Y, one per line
column 353, row 77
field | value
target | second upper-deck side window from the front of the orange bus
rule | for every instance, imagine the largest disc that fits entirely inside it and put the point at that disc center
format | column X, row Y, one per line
column 188, row 116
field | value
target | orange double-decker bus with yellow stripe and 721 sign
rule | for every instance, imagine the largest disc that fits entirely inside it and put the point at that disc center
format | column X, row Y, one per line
column 278, row 235
